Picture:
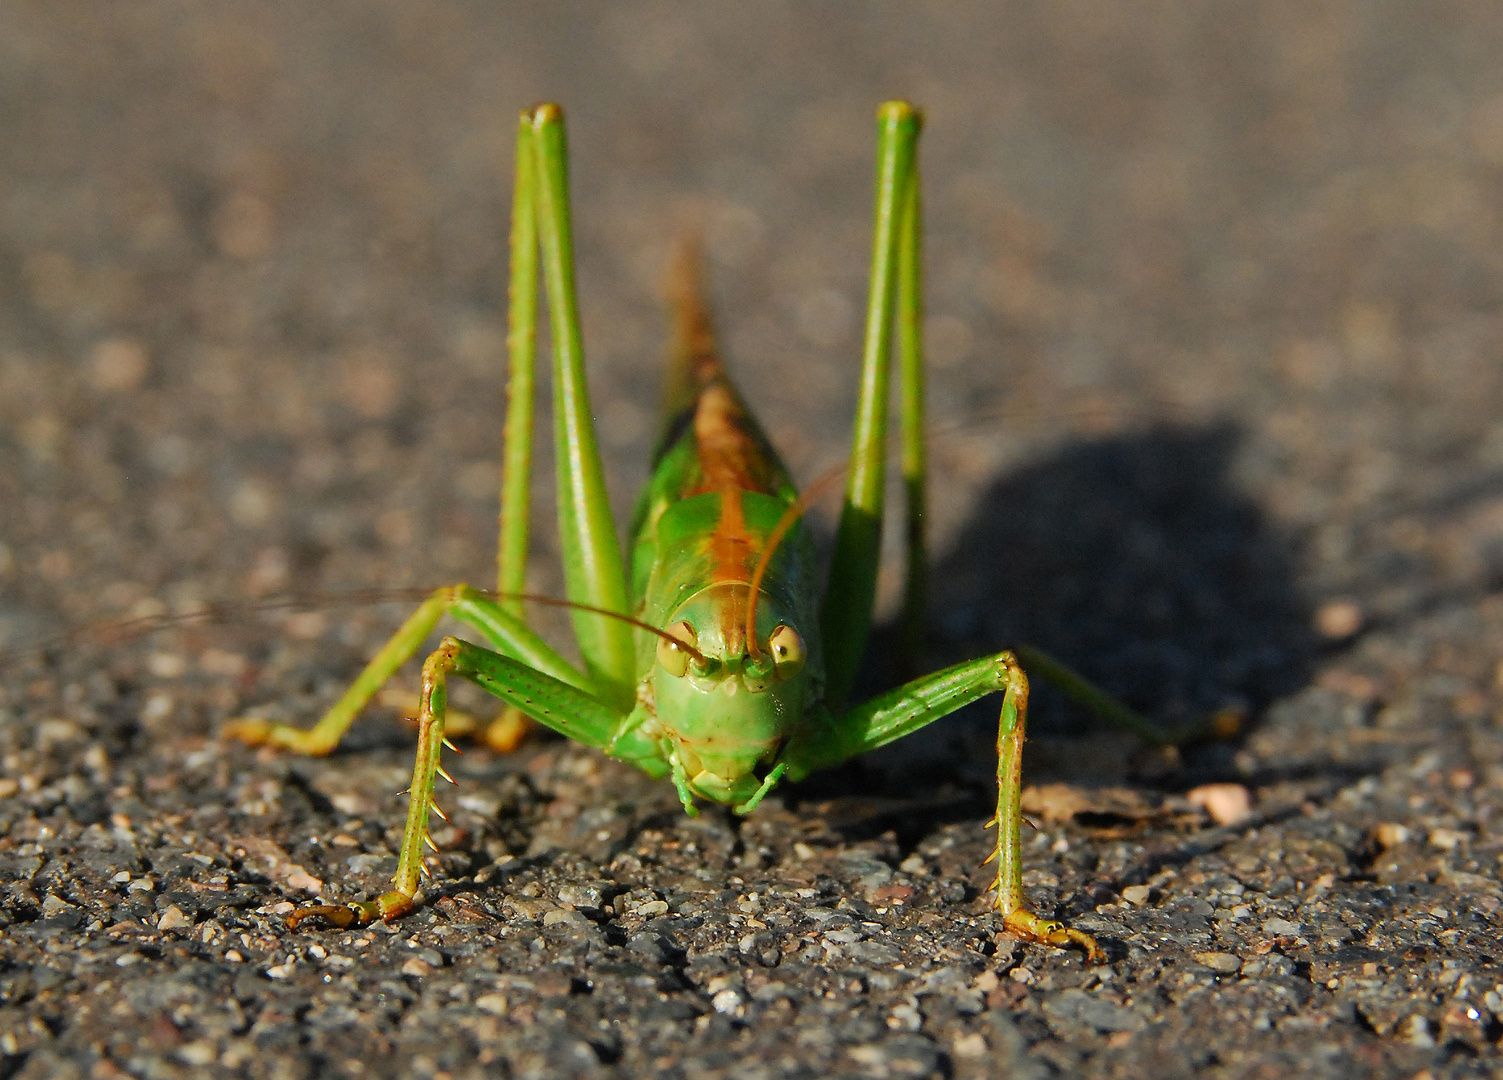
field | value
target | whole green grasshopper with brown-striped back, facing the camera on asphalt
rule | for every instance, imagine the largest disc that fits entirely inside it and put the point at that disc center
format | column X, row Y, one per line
column 715, row 665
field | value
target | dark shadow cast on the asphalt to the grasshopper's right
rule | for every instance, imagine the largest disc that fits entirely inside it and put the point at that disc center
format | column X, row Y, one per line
column 1133, row 558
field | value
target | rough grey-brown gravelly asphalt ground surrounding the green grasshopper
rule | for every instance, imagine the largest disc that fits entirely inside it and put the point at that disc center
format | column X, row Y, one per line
column 1217, row 306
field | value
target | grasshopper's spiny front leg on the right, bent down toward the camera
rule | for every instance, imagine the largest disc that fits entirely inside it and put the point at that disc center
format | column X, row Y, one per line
column 827, row 741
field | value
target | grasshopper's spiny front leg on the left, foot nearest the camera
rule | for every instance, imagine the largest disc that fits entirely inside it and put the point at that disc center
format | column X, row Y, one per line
column 548, row 701
